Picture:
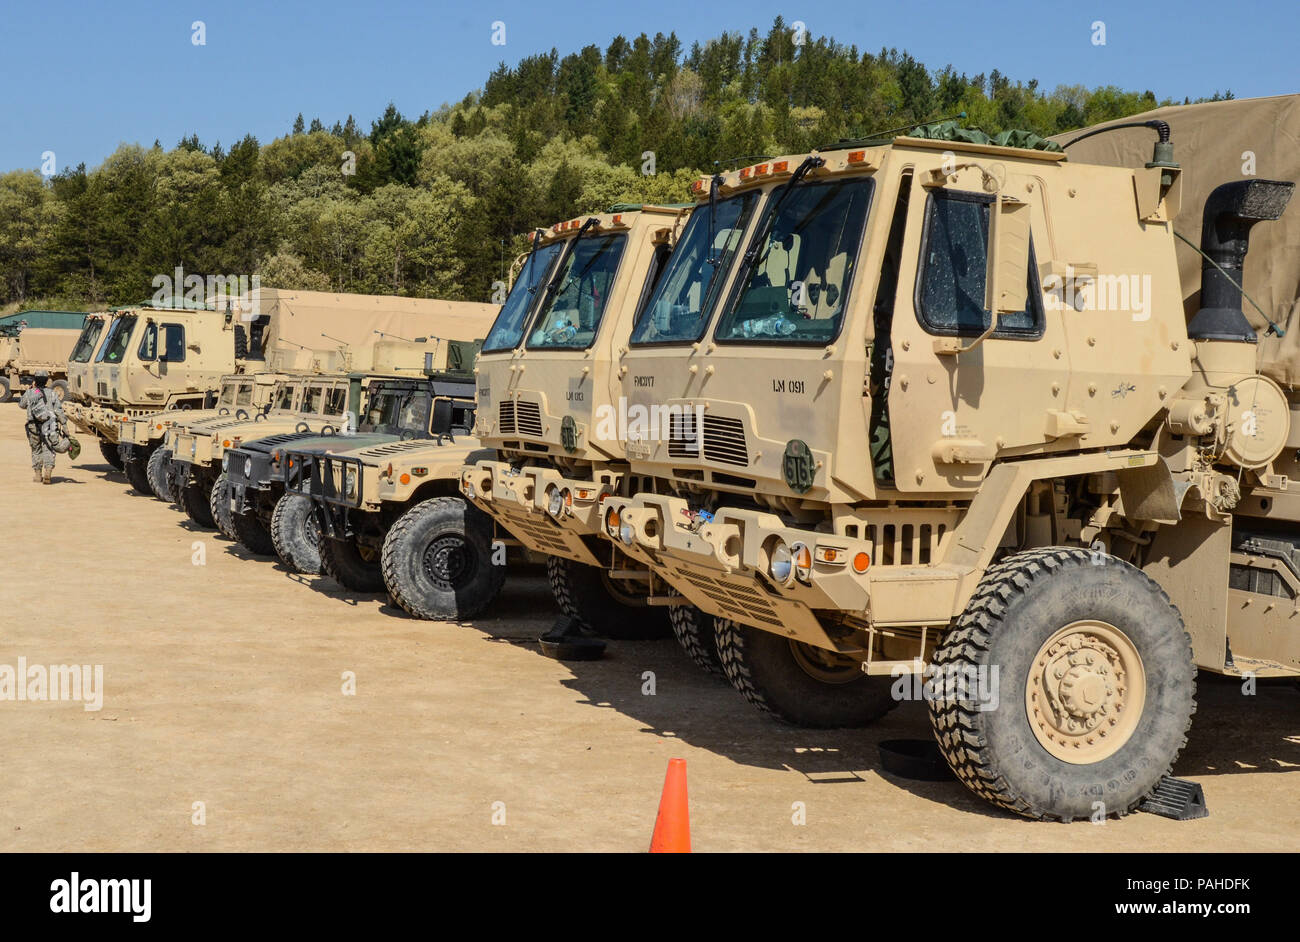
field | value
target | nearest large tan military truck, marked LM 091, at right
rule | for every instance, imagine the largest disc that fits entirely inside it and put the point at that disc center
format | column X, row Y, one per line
column 946, row 420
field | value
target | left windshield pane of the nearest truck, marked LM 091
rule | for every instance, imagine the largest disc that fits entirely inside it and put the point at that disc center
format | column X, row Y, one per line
column 683, row 299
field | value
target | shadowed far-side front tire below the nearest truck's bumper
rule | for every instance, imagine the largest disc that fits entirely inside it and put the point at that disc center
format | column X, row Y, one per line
column 804, row 685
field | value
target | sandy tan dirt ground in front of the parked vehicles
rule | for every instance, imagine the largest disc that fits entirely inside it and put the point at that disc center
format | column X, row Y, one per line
column 224, row 685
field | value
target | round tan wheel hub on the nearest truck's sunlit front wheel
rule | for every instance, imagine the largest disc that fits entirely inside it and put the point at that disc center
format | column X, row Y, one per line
column 1086, row 692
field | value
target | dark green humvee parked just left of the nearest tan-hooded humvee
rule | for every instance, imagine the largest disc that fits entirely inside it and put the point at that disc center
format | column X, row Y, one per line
column 257, row 471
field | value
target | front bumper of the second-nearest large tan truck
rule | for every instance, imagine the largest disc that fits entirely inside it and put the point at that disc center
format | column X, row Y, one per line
column 545, row 511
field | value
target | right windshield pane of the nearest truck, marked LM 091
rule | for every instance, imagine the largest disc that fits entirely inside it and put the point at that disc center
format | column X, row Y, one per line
column 798, row 285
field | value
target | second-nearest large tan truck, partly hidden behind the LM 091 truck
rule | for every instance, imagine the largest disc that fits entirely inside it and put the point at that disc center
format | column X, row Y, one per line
column 548, row 405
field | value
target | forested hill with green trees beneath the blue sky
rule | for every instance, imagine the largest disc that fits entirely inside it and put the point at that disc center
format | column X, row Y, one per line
column 439, row 206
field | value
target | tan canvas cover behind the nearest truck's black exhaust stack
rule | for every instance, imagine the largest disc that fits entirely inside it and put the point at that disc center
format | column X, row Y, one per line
column 1217, row 142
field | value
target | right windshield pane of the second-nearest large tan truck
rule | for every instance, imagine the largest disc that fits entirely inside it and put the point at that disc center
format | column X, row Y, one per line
column 573, row 314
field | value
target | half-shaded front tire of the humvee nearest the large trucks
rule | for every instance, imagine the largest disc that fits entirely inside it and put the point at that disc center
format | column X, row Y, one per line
column 439, row 561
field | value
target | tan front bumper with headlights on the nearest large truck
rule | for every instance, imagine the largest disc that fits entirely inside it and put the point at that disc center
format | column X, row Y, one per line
column 723, row 566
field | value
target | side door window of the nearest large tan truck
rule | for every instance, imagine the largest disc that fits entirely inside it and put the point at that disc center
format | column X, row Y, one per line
column 954, row 264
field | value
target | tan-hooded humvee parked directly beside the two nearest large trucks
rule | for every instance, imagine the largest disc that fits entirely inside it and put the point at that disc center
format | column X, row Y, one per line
column 388, row 513
